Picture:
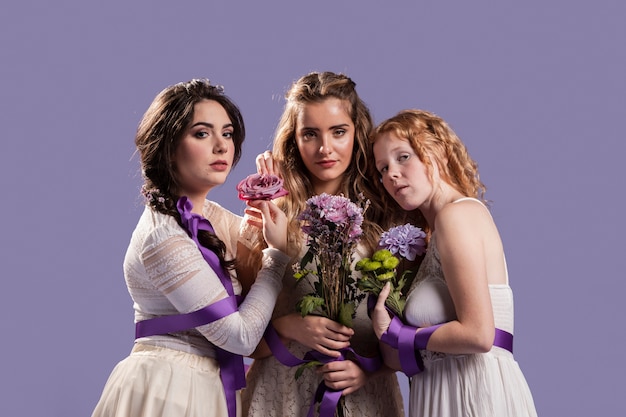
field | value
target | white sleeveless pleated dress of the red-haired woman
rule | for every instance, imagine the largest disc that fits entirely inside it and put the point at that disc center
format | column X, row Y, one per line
column 483, row 385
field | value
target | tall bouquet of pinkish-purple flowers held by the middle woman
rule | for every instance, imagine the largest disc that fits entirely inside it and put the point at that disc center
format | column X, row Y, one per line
column 333, row 228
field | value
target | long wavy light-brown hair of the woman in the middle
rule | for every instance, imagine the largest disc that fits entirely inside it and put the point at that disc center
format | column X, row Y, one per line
column 316, row 87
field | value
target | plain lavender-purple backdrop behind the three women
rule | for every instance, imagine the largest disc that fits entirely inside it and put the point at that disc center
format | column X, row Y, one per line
column 536, row 89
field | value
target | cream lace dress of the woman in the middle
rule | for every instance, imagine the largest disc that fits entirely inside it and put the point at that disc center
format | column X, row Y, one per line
column 273, row 391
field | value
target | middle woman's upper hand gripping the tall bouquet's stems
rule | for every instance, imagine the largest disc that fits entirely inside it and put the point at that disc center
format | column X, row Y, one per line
column 315, row 332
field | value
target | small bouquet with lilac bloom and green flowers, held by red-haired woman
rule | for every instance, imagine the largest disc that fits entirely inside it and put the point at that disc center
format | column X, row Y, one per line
column 407, row 241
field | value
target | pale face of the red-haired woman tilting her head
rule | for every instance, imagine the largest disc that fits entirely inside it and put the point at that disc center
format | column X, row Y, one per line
column 404, row 175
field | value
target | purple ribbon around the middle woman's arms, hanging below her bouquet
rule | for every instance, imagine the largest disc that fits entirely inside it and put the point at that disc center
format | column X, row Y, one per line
column 326, row 397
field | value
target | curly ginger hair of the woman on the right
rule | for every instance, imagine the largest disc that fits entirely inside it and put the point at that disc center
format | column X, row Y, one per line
column 433, row 141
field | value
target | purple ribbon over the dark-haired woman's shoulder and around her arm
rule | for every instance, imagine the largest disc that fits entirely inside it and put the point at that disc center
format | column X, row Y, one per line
column 232, row 372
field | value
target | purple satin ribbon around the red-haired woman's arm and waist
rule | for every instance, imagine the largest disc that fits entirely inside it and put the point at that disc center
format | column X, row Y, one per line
column 409, row 342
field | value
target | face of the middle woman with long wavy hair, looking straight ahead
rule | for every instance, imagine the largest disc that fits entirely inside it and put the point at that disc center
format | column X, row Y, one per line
column 325, row 139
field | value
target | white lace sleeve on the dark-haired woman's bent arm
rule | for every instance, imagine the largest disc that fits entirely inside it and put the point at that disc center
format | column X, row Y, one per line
column 177, row 269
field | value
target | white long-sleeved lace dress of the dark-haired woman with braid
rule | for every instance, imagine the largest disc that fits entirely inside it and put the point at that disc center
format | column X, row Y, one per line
column 176, row 374
